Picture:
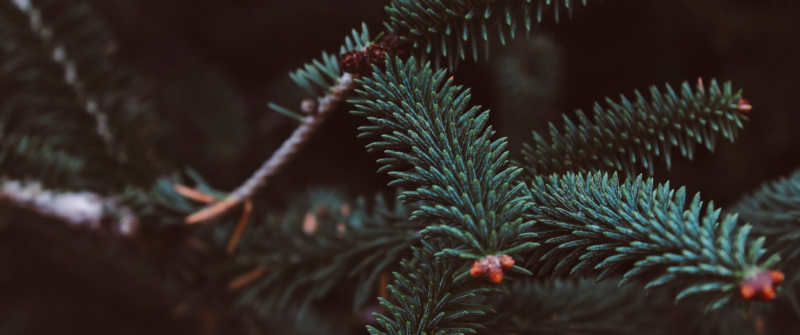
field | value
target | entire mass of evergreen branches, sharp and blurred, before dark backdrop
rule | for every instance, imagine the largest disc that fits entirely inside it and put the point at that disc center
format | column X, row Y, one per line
column 459, row 249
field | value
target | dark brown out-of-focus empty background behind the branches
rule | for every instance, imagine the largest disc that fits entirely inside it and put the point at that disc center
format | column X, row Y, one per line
column 212, row 65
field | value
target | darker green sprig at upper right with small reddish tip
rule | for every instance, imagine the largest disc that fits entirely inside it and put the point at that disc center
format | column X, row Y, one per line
column 627, row 134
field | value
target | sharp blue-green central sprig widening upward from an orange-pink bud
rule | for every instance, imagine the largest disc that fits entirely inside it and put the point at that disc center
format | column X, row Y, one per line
column 424, row 124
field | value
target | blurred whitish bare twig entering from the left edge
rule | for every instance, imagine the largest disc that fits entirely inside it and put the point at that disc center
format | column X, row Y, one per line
column 79, row 209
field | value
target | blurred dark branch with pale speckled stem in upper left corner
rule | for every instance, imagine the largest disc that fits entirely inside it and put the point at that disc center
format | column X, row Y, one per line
column 79, row 40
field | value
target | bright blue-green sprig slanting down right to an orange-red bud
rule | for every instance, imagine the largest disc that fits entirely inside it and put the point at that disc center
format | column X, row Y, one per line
column 594, row 222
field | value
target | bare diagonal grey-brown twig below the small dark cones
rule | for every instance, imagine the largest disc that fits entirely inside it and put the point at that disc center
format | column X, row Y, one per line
column 283, row 155
